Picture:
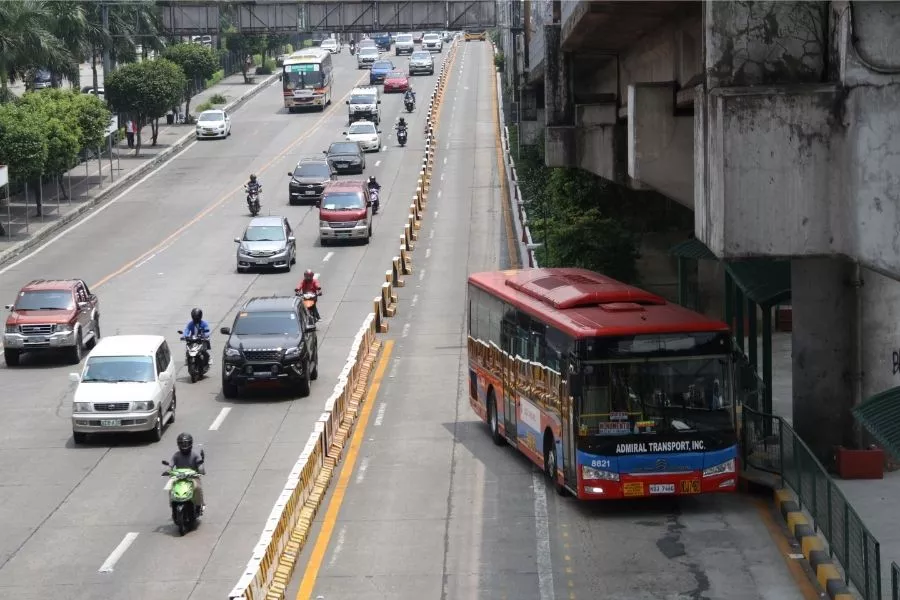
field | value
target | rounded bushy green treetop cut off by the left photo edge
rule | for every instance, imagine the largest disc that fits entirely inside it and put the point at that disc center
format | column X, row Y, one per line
column 23, row 143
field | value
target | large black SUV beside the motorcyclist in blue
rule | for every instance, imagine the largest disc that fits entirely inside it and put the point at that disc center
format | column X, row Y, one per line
column 272, row 339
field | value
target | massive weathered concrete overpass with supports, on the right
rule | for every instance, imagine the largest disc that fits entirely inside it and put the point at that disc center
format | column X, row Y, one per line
column 777, row 123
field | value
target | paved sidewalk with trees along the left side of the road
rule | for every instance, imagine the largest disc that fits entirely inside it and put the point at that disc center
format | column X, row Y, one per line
column 92, row 181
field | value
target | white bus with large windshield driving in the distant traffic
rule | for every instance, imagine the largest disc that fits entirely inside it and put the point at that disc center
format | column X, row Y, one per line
column 307, row 79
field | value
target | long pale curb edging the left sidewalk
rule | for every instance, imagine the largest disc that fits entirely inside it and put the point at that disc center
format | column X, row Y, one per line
column 41, row 236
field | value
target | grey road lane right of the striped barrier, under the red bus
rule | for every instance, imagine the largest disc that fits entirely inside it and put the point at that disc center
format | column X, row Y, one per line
column 433, row 510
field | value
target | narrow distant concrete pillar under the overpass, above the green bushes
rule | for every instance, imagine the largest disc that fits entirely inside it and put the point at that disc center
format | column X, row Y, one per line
column 559, row 140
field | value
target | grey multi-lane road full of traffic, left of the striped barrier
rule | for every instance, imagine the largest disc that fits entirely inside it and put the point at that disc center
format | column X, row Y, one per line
column 162, row 248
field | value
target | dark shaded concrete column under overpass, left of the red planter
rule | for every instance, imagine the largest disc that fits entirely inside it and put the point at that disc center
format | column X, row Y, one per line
column 824, row 306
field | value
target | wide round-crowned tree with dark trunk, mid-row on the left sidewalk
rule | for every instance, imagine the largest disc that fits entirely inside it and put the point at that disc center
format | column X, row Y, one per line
column 144, row 91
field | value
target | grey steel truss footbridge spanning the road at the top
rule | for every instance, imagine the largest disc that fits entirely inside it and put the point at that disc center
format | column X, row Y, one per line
column 196, row 17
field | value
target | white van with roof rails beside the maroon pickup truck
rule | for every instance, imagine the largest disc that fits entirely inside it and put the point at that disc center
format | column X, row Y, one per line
column 127, row 385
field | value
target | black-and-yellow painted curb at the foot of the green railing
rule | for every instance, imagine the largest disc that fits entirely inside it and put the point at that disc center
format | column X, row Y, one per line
column 813, row 547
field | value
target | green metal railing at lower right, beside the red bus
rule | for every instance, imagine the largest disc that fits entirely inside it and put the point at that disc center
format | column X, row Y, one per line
column 770, row 444
